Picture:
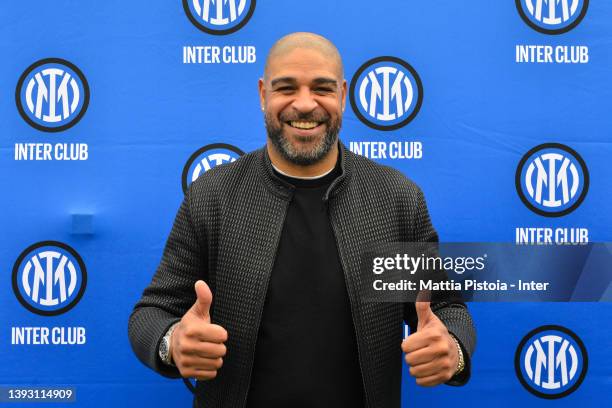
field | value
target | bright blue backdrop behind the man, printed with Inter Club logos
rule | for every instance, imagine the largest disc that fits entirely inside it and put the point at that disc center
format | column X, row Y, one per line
column 485, row 104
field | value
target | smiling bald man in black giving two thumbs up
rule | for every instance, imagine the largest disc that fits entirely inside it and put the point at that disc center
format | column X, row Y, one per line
column 257, row 293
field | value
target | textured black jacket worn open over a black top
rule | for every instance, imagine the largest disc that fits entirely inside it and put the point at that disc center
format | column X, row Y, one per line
column 226, row 232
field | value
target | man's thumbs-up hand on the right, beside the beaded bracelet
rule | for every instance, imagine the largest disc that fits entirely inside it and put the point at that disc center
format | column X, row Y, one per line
column 431, row 352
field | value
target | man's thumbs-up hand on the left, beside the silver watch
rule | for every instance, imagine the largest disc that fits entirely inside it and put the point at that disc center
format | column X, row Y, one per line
column 197, row 345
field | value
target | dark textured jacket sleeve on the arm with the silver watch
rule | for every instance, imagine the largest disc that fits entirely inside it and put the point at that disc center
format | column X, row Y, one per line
column 171, row 291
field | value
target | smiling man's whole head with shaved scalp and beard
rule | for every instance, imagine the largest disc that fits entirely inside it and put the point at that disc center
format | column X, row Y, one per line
column 302, row 95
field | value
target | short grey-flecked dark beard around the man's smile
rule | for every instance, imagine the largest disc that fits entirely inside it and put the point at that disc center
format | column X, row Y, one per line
column 308, row 152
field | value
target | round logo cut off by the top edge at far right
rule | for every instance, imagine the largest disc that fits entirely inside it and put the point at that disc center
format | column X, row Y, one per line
column 552, row 16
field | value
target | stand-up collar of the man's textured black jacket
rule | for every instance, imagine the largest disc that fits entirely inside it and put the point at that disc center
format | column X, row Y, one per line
column 283, row 189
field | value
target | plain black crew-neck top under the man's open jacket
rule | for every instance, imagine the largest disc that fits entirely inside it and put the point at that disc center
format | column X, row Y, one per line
column 306, row 352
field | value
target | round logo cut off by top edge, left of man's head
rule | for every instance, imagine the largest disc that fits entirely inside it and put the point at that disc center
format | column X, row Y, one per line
column 219, row 17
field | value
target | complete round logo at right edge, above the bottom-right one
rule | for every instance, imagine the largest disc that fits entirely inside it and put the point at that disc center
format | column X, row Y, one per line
column 552, row 179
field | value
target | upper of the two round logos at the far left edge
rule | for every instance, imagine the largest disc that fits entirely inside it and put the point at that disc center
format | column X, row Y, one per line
column 52, row 95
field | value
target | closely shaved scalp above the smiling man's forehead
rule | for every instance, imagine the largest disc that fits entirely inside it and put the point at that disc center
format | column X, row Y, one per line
column 304, row 40
